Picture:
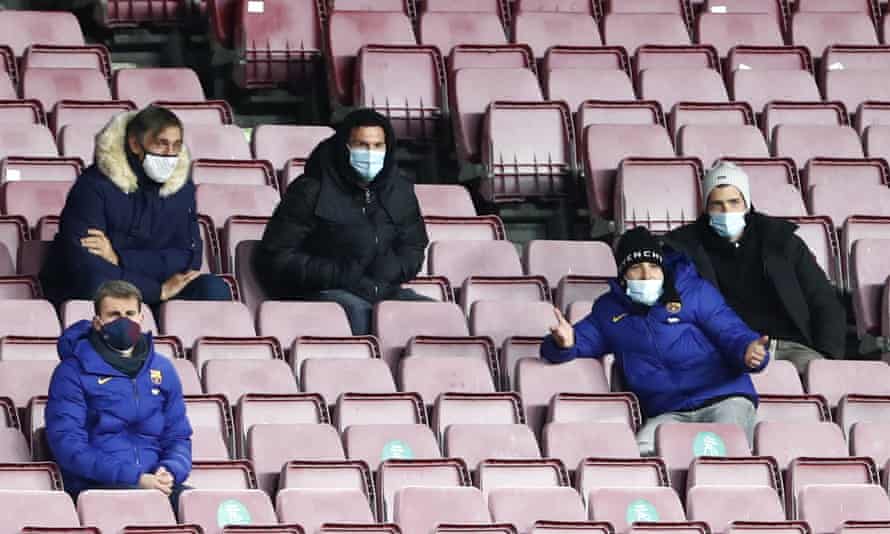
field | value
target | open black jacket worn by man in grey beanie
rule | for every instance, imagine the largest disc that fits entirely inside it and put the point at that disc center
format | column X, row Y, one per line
column 802, row 286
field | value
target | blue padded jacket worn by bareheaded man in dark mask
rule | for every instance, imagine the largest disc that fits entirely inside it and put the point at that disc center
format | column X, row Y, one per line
column 106, row 429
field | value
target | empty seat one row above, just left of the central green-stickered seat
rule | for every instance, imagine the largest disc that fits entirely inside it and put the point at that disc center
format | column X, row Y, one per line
column 332, row 377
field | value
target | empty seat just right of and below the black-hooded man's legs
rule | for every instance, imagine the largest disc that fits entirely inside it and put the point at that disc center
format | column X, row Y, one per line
column 395, row 323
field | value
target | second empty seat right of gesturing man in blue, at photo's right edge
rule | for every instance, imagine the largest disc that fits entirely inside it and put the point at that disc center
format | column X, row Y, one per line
column 834, row 379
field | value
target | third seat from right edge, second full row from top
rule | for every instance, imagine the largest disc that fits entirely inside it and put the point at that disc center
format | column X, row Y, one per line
column 681, row 73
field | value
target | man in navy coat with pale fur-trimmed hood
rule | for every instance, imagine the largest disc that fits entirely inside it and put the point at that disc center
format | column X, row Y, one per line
column 132, row 216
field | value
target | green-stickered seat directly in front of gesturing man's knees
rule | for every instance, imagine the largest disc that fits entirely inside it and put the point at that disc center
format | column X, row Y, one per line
column 679, row 444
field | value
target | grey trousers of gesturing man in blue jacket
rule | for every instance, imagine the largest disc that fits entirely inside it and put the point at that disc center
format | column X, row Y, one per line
column 737, row 410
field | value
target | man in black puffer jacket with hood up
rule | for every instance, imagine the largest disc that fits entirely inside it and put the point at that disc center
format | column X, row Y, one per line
column 349, row 229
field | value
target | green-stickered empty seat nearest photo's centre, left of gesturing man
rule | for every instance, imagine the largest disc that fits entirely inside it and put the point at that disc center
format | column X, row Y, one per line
column 374, row 444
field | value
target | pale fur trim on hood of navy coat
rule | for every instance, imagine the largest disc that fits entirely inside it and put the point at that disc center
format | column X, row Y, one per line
column 111, row 158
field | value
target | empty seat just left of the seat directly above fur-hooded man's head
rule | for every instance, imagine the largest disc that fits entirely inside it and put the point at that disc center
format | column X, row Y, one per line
column 49, row 85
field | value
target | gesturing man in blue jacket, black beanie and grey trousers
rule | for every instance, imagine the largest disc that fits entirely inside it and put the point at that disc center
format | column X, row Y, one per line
column 680, row 348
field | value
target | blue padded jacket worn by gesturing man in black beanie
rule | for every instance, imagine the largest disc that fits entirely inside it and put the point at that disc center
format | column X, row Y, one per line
column 672, row 360
